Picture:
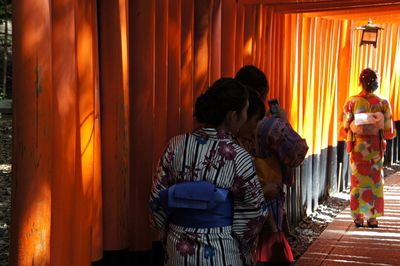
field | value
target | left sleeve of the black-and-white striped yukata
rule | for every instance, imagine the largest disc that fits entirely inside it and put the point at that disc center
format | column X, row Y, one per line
column 160, row 182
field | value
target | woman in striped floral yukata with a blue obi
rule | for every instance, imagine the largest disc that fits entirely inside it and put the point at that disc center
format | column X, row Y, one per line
column 206, row 199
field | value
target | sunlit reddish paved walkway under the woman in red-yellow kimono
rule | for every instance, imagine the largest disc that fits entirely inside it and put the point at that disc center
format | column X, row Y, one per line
column 342, row 243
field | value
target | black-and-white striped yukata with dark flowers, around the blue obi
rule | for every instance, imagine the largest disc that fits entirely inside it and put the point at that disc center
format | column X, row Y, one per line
column 209, row 155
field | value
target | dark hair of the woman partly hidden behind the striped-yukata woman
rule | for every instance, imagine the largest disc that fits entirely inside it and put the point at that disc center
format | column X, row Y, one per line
column 254, row 78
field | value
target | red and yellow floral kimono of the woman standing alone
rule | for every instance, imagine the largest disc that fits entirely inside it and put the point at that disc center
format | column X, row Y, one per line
column 366, row 155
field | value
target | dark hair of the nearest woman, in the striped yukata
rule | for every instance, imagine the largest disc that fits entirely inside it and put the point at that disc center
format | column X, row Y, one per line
column 226, row 94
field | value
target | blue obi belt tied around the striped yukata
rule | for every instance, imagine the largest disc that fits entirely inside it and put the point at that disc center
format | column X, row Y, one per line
column 197, row 204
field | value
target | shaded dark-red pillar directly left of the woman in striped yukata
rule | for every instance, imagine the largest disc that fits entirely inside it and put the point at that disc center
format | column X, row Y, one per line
column 142, row 82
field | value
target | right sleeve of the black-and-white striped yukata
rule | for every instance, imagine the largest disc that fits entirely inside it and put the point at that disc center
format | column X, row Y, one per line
column 249, row 207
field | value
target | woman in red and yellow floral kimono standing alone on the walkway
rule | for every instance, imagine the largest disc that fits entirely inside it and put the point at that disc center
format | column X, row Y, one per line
column 367, row 122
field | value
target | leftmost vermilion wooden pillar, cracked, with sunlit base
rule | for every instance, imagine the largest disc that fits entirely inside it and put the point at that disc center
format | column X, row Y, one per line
column 32, row 134
